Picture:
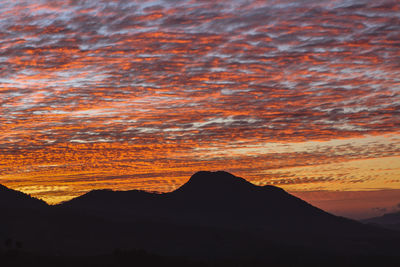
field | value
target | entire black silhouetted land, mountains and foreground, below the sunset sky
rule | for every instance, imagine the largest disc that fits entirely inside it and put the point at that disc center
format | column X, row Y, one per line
column 215, row 219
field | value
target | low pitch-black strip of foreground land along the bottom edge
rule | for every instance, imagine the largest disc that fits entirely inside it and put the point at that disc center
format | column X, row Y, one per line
column 142, row 258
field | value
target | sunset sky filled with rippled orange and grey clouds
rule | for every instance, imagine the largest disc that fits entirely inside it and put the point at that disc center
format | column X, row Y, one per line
column 302, row 94
